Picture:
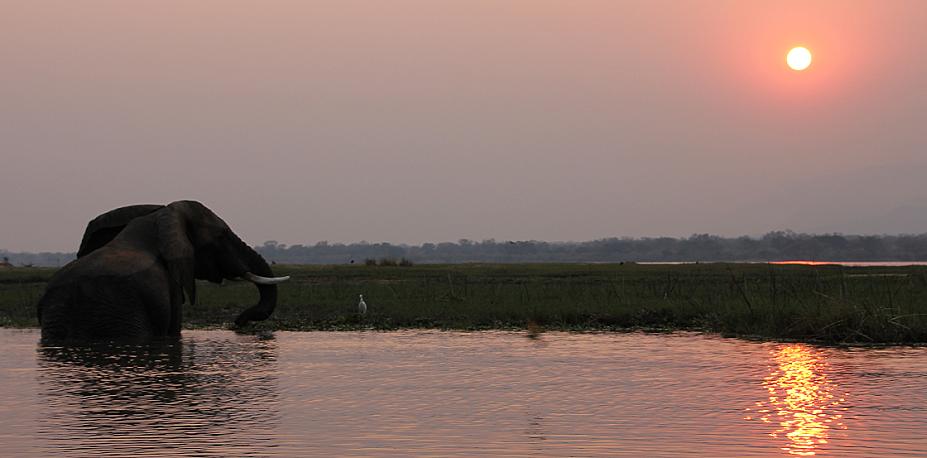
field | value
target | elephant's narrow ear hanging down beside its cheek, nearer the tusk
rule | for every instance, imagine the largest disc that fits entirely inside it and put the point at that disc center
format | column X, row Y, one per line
column 177, row 251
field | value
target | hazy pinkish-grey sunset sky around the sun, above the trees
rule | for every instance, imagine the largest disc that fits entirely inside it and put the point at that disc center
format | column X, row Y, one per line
column 414, row 121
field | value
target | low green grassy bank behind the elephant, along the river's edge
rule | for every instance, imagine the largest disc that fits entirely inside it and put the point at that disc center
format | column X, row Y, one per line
column 813, row 303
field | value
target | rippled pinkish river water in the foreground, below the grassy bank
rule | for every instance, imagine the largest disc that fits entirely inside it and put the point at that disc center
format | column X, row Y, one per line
column 217, row 393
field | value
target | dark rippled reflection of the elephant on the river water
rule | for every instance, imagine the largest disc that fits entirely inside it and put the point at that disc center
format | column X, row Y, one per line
column 205, row 396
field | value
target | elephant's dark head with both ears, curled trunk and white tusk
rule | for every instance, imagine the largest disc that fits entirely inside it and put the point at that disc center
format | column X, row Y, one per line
column 190, row 242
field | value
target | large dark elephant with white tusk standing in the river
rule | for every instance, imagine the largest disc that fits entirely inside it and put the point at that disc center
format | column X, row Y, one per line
column 134, row 266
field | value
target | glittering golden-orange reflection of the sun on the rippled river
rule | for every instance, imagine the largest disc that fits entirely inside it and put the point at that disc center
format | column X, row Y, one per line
column 803, row 401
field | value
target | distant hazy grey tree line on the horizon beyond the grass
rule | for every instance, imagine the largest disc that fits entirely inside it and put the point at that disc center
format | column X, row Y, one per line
column 774, row 246
